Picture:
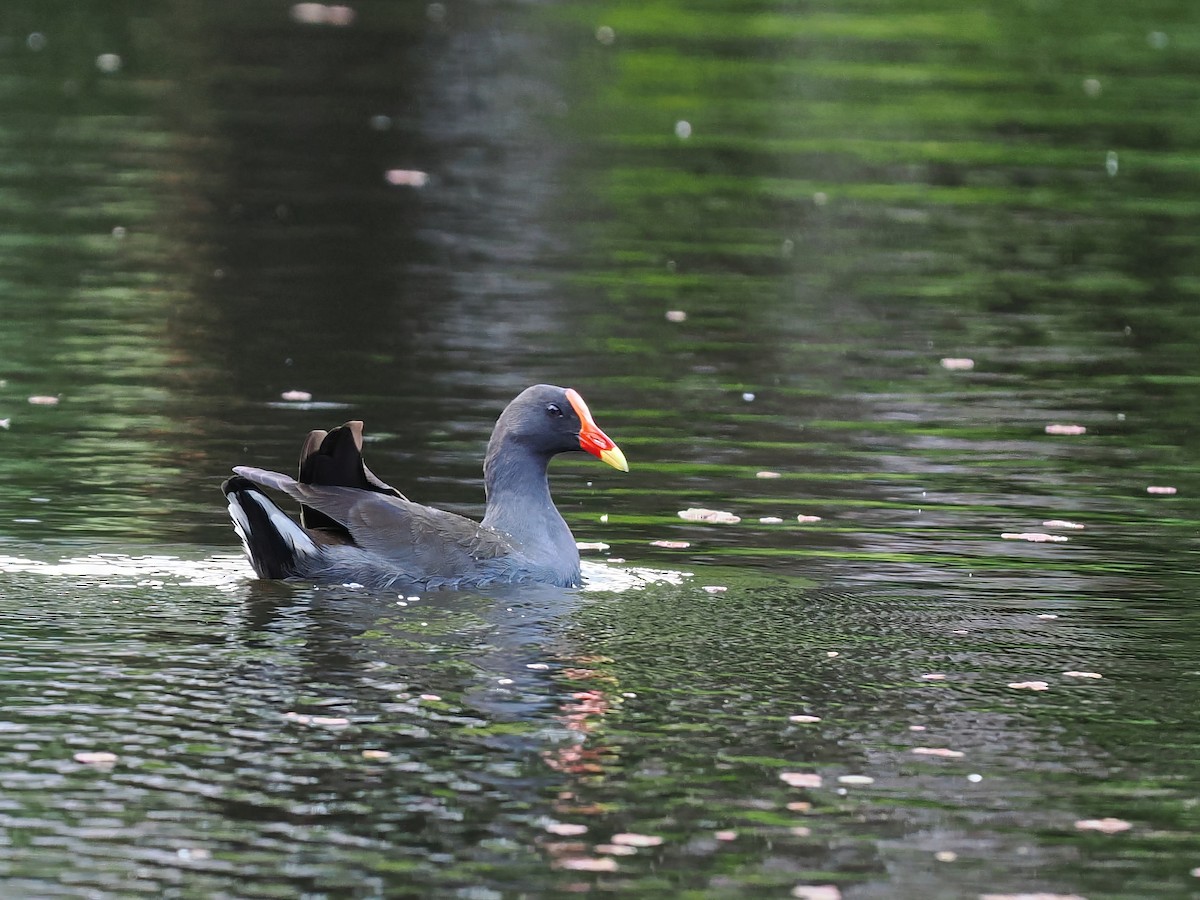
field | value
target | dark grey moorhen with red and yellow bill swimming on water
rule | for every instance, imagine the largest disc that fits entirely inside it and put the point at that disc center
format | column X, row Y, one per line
column 356, row 529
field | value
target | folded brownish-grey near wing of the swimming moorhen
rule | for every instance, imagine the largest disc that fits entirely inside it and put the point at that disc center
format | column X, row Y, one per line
column 422, row 542
